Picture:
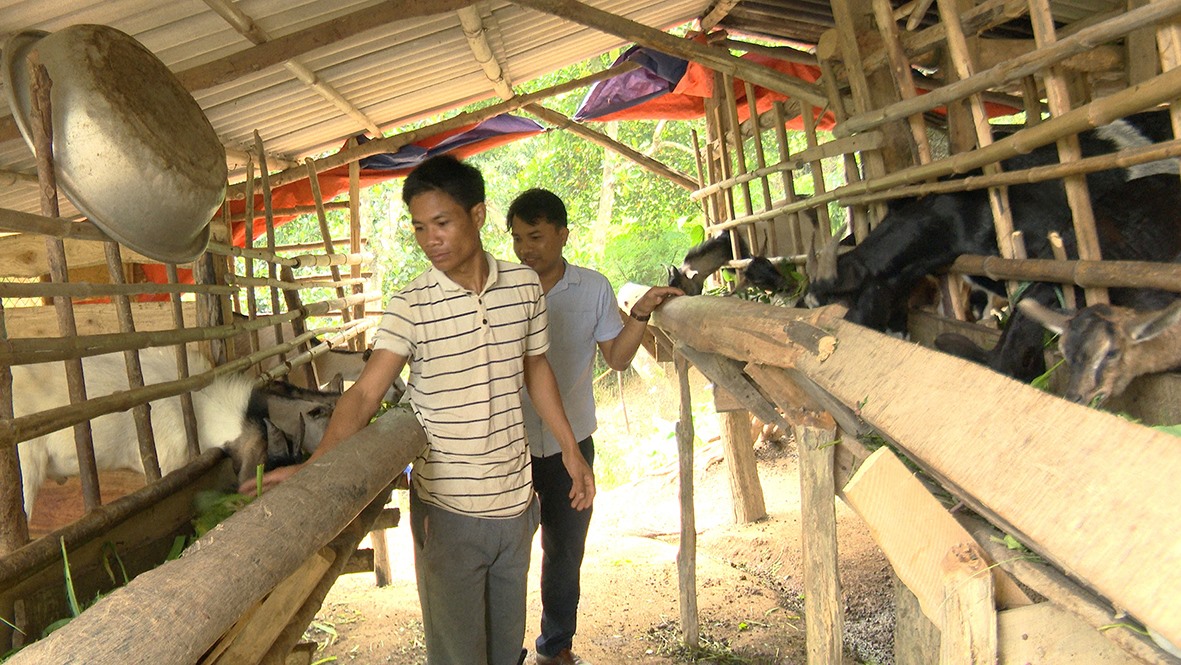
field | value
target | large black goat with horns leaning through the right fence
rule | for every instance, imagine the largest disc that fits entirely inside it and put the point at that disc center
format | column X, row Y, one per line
column 921, row 237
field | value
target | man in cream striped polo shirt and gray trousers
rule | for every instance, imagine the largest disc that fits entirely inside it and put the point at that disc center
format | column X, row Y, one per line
column 474, row 331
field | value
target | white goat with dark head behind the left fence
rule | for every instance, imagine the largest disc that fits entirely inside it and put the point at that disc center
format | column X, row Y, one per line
column 231, row 414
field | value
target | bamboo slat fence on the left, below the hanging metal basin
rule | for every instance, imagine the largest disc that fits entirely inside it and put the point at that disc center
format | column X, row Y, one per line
column 227, row 304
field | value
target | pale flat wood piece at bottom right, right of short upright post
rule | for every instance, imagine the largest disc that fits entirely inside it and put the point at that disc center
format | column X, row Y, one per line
column 1047, row 634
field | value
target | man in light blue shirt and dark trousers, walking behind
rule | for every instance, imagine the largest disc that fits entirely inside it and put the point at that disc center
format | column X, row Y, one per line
column 583, row 317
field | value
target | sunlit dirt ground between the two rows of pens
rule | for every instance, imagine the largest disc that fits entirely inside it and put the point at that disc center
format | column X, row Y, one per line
column 749, row 581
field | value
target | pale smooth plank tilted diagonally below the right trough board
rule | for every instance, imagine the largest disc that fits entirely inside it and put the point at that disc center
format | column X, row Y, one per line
column 915, row 531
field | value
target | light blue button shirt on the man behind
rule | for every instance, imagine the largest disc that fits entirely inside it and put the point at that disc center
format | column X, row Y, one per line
column 583, row 312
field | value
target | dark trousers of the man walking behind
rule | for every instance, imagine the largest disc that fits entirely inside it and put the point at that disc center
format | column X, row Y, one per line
column 564, row 534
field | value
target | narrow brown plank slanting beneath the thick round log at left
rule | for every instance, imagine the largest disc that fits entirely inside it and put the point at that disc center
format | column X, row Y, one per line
column 252, row 637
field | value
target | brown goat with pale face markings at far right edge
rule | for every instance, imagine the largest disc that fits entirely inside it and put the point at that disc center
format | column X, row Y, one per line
column 1105, row 348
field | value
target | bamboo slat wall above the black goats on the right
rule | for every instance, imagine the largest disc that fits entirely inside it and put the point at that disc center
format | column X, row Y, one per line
column 882, row 119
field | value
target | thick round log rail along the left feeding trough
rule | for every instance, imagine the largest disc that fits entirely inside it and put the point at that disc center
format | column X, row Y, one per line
column 280, row 531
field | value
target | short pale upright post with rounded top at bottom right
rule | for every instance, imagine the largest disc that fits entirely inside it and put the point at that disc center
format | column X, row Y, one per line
column 969, row 611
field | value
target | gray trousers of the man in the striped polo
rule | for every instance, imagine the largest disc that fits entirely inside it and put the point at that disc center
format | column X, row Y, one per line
column 472, row 583
